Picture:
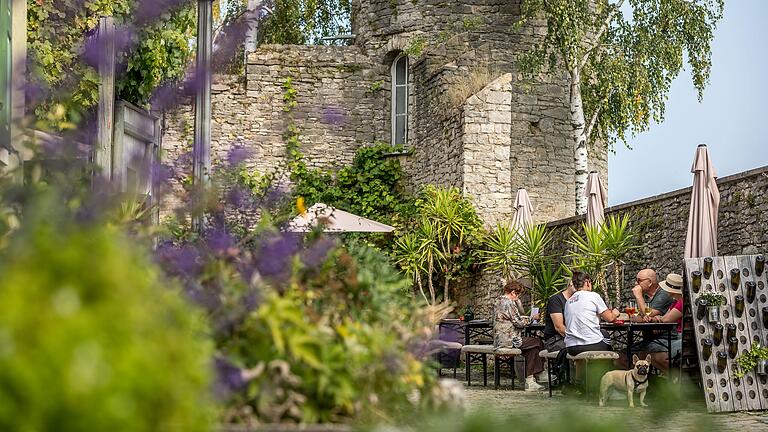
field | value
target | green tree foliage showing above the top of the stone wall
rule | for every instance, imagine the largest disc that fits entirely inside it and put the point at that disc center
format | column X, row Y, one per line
column 306, row 21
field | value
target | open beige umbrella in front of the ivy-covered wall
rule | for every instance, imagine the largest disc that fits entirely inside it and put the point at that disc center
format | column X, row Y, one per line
column 334, row 220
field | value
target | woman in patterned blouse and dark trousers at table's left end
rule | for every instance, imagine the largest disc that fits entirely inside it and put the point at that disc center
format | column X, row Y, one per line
column 508, row 324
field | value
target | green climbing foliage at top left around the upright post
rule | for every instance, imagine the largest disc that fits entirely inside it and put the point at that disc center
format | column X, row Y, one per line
column 55, row 34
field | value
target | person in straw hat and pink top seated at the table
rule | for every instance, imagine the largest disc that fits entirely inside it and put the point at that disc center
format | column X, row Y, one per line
column 673, row 285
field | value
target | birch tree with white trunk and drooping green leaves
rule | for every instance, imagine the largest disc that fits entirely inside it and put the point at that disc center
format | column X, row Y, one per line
column 621, row 58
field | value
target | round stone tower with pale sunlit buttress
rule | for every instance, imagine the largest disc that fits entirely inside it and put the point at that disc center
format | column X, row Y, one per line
column 471, row 120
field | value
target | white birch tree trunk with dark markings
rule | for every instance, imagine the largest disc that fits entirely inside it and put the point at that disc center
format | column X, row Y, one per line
column 579, row 136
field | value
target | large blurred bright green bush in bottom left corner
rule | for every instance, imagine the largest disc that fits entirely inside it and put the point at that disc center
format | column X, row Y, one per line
column 90, row 337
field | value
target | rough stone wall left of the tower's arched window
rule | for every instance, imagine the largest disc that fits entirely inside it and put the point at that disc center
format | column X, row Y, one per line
column 341, row 105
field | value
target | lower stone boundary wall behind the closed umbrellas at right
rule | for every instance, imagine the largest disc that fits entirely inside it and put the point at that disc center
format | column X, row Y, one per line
column 661, row 223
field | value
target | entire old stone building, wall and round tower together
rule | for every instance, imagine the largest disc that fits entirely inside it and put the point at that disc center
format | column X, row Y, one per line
column 472, row 122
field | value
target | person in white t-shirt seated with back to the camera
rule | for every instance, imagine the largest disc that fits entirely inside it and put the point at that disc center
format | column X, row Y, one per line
column 582, row 317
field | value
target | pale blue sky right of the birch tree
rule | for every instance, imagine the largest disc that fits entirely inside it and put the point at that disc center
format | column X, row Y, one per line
column 732, row 119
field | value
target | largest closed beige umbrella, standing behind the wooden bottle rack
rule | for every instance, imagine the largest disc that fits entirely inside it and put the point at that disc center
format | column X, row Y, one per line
column 701, row 239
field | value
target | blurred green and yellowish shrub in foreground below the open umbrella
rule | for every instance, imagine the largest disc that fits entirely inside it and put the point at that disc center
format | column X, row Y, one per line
column 340, row 340
